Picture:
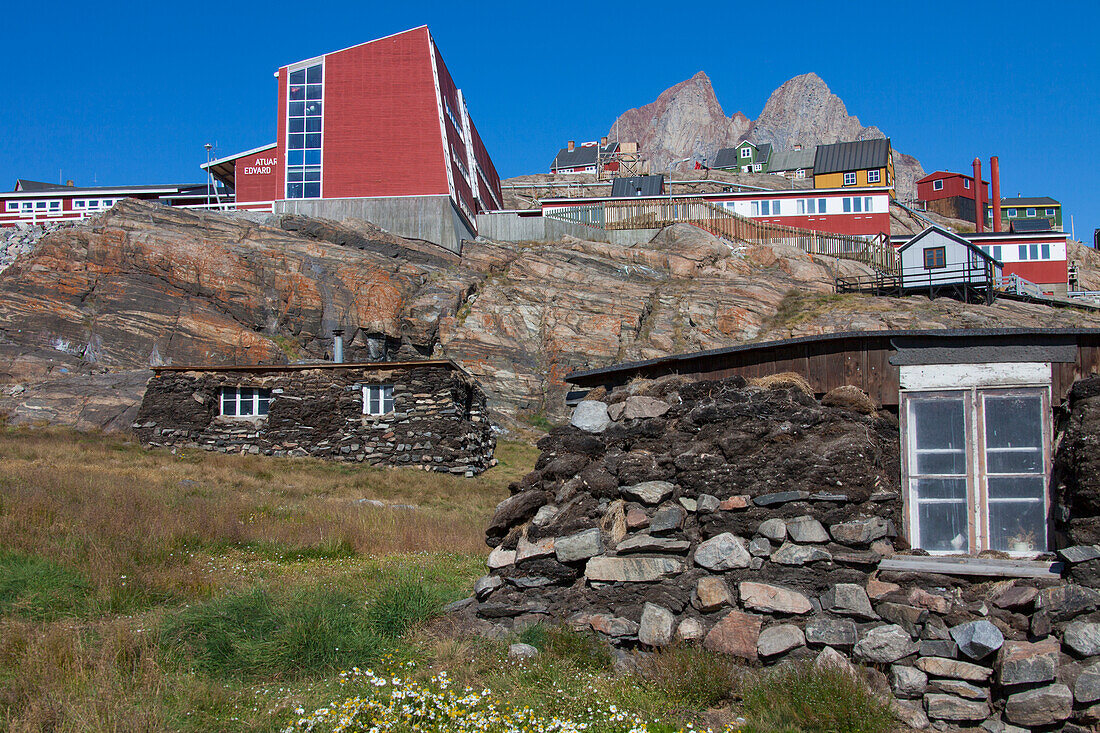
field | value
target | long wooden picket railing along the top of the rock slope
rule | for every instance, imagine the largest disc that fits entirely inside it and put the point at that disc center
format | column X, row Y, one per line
column 875, row 250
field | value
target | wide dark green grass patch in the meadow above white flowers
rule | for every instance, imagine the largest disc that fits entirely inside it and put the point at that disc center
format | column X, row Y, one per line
column 259, row 632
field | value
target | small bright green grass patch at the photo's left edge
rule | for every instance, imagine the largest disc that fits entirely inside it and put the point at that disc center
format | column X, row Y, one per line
column 40, row 589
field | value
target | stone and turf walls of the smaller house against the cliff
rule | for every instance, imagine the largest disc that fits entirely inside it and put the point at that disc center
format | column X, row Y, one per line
column 438, row 422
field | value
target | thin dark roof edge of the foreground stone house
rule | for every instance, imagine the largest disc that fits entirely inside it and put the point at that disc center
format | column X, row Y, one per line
column 762, row 346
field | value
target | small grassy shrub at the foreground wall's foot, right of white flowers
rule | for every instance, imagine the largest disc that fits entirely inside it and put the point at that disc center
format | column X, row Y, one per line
column 690, row 676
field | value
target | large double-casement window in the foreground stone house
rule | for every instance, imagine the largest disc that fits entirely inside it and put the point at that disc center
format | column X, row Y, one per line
column 977, row 469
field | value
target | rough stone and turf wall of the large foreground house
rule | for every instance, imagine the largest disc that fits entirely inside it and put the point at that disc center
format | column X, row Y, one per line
column 753, row 521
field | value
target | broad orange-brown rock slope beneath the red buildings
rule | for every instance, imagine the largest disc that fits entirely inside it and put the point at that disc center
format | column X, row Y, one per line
column 145, row 285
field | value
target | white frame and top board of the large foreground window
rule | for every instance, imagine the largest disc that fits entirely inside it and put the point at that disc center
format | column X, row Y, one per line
column 949, row 381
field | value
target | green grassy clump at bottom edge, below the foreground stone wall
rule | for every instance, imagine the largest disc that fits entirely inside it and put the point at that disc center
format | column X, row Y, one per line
column 800, row 697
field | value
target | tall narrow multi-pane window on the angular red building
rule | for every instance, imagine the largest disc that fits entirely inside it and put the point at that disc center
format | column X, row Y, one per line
column 304, row 133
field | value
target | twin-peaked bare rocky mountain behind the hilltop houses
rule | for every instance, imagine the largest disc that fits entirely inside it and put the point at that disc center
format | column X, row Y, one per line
column 687, row 122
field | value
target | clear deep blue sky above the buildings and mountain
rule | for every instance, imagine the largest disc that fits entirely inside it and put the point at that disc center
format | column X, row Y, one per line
column 129, row 93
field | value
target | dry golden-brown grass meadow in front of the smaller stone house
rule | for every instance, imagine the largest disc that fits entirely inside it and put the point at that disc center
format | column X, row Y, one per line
column 139, row 534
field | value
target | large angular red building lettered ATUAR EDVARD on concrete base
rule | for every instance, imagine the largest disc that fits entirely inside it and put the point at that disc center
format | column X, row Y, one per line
column 379, row 132
